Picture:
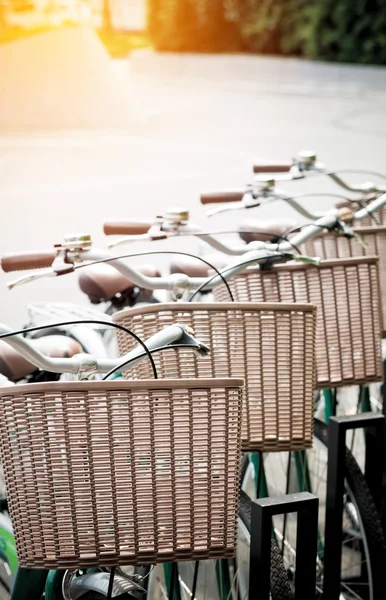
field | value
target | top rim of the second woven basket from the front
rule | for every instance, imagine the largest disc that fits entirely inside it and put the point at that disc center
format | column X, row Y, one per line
column 219, row 306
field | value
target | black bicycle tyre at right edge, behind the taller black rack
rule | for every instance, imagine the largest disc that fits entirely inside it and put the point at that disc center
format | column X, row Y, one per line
column 369, row 516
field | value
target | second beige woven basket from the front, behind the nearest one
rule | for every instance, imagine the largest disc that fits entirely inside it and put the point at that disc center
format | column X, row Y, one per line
column 272, row 346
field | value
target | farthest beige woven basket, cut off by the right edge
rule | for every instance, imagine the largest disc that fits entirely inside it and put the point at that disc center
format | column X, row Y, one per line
column 331, row 245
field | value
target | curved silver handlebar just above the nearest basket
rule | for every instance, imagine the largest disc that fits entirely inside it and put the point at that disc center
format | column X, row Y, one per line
column 85, row 365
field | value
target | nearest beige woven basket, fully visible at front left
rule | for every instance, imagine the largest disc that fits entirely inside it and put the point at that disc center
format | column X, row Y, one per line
column 111, row 473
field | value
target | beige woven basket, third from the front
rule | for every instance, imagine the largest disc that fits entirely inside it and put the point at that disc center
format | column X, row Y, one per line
column 346, row 292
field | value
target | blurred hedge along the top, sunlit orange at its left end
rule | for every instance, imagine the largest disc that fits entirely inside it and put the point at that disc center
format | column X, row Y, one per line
column 341, row 30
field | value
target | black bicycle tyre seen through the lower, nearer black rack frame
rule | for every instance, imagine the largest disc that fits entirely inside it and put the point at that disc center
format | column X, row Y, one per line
column 279, row 582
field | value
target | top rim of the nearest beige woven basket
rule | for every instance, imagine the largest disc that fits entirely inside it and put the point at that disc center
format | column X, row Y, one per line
column 121, row 384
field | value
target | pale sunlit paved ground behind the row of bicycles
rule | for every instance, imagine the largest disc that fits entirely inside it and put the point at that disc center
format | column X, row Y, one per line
column 200, row 122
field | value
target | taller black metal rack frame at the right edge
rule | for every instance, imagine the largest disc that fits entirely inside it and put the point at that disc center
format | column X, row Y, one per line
column 374, row 424
